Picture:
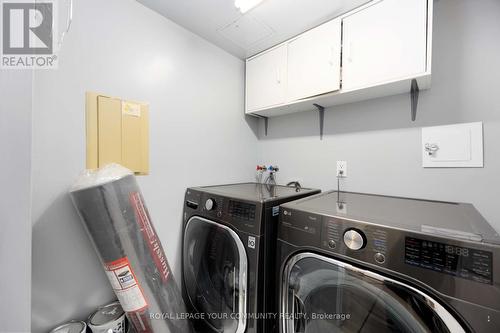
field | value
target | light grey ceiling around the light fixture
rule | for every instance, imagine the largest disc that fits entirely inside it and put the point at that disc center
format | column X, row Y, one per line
column 268, row 24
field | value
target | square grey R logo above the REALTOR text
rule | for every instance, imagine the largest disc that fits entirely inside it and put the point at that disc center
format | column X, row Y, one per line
column 28, row 28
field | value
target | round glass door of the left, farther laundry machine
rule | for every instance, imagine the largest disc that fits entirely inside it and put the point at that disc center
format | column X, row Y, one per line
column 215, row 274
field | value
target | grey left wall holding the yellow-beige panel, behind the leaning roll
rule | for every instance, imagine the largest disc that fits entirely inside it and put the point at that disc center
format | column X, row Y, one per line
column 198, row 136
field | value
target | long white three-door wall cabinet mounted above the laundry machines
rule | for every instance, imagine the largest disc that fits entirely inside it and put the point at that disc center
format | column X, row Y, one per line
column 380, row 49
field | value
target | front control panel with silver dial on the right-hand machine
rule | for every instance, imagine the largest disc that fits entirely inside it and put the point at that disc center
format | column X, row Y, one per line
column 454, row 267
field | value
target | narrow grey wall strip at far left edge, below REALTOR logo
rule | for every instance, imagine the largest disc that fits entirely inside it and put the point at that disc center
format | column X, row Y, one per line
column 15, row 200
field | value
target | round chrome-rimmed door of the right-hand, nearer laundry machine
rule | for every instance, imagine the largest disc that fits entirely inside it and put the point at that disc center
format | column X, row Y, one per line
column 321, row 294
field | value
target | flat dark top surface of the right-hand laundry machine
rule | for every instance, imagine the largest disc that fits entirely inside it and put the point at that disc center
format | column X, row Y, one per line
column 444, row 219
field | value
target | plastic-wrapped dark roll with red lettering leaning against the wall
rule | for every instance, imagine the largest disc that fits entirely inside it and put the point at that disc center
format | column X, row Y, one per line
column 117, row 221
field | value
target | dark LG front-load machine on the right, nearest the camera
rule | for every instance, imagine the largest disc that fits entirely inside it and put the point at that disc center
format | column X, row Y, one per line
column 353, row 262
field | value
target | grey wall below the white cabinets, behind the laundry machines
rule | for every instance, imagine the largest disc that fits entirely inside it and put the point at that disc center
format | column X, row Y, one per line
column 382, row 146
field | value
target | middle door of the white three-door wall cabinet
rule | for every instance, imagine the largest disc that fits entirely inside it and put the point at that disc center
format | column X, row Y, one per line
column 314, row 61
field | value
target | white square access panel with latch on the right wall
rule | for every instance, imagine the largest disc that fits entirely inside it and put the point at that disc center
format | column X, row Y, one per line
column 459, row 146
